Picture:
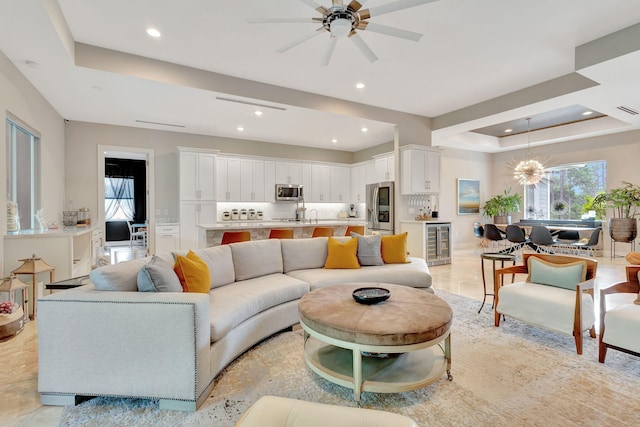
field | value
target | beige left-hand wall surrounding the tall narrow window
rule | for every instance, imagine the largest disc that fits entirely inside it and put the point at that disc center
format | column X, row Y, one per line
column 21, row 99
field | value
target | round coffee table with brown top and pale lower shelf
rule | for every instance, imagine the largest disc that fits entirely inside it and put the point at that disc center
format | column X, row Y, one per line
column 397, row 345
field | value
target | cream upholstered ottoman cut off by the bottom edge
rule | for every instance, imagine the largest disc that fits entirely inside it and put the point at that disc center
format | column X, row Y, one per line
column 272, row 411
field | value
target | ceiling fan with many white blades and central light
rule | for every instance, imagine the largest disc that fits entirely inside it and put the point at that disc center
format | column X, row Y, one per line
column 342, row 22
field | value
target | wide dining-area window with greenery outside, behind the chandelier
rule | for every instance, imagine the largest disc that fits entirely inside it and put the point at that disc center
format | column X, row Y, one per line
column 565, row 191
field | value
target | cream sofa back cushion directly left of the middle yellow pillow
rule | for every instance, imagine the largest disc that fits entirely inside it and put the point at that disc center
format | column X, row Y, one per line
column 302, row 254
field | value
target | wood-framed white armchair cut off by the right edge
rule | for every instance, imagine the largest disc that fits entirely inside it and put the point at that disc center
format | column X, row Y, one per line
column 619, row 316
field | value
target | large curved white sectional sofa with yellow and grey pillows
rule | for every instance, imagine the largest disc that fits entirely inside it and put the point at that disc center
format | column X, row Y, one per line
column 170, row 346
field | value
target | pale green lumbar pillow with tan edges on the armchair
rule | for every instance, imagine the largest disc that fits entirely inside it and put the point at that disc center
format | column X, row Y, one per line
column 565, row 276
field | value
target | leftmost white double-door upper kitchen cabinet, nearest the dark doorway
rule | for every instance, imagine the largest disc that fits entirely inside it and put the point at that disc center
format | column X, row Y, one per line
column 196, row 171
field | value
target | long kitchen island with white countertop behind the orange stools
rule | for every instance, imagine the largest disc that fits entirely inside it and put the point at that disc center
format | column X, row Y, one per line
column 211, row 234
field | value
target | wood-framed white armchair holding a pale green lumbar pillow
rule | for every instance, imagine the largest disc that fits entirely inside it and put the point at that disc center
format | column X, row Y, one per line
column 556, row 295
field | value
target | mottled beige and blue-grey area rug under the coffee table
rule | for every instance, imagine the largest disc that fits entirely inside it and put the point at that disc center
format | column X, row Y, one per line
column 512, row 375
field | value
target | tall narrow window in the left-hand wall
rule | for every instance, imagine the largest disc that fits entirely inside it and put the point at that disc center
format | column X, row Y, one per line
column 23, row 173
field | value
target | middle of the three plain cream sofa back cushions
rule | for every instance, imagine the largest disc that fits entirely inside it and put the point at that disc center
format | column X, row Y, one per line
column 256, row 258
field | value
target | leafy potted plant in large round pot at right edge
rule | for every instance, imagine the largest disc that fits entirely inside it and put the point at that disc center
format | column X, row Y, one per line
column 624, row 202
